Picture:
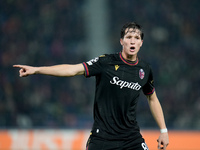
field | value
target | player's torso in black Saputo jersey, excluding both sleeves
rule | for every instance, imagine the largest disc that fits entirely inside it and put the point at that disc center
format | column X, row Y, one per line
column 117, row 90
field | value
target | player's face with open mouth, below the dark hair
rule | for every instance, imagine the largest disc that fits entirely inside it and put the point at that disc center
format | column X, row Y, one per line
column 131, row 44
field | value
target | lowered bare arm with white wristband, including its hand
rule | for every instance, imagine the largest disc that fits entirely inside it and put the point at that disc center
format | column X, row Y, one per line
column 157, row 113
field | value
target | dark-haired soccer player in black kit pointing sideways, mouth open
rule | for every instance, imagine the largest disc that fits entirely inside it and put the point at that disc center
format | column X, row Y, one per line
column 120, row 78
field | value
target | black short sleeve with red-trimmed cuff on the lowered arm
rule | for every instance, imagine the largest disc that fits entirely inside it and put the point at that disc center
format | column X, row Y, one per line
column 149, row 88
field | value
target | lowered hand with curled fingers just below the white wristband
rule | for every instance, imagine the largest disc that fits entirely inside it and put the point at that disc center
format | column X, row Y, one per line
column 163, row 141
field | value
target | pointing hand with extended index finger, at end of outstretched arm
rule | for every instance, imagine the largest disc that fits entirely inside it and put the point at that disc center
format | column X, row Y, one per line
column 25, row 70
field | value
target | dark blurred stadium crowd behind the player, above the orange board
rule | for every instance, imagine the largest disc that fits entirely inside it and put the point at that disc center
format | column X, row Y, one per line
column 50, row 32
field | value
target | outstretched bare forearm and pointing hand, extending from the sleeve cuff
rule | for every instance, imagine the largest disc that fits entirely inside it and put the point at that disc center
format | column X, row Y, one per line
column 64, row 70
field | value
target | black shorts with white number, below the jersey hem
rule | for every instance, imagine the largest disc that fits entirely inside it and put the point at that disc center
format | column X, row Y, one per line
column 95, row 143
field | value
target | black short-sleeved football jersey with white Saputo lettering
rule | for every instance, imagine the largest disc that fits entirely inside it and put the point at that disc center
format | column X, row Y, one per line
column 118, row 85
